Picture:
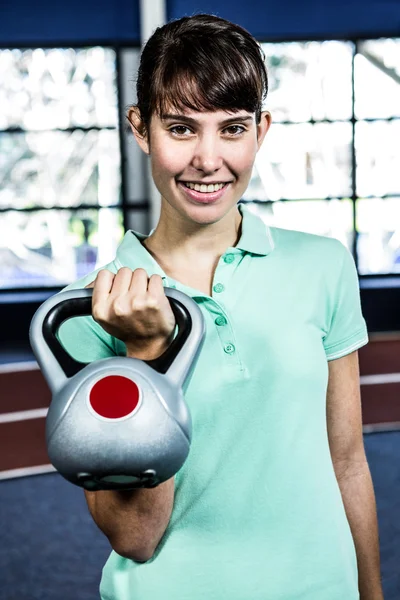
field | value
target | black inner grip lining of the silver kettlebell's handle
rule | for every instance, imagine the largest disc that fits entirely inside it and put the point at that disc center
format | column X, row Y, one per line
column 77, row 307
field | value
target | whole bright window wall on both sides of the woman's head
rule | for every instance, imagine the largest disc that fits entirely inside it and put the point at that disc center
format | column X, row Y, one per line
column 72, row 176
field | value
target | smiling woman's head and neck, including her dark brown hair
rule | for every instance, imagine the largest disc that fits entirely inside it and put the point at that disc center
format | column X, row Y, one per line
column 202, row 126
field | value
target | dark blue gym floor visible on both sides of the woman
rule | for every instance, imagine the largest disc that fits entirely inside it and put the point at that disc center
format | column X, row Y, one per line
column 52, row 550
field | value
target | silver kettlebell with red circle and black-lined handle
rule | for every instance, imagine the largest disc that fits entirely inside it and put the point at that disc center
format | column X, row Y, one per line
column 117, row 423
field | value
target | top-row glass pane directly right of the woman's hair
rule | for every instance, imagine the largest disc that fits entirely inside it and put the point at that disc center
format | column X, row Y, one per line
column 309, row 80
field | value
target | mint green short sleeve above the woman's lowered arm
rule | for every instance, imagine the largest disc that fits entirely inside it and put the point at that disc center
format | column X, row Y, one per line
column 348, row 330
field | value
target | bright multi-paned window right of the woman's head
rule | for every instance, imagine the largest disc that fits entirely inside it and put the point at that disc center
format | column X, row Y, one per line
column 330, row 162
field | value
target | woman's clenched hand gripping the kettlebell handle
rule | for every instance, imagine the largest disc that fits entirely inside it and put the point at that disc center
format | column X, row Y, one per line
column 134, row 308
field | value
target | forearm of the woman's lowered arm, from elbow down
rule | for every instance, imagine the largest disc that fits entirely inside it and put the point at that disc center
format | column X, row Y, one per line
column 357, row 491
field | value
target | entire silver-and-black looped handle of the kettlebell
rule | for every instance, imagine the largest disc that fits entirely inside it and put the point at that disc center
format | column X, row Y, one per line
column 57, row 365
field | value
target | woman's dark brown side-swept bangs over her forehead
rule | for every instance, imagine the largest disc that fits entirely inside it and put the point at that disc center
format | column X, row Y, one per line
column 205, row 81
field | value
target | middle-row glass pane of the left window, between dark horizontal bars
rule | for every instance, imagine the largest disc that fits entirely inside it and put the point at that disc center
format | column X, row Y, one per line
column 59, row 168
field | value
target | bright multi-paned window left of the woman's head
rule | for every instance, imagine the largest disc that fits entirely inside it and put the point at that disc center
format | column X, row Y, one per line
column 60, row 164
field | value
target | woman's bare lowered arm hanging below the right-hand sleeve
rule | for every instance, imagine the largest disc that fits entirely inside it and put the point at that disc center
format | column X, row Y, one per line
column 344, row 420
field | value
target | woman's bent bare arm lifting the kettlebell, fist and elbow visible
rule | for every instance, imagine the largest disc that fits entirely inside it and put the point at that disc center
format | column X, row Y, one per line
column 134, row 309
